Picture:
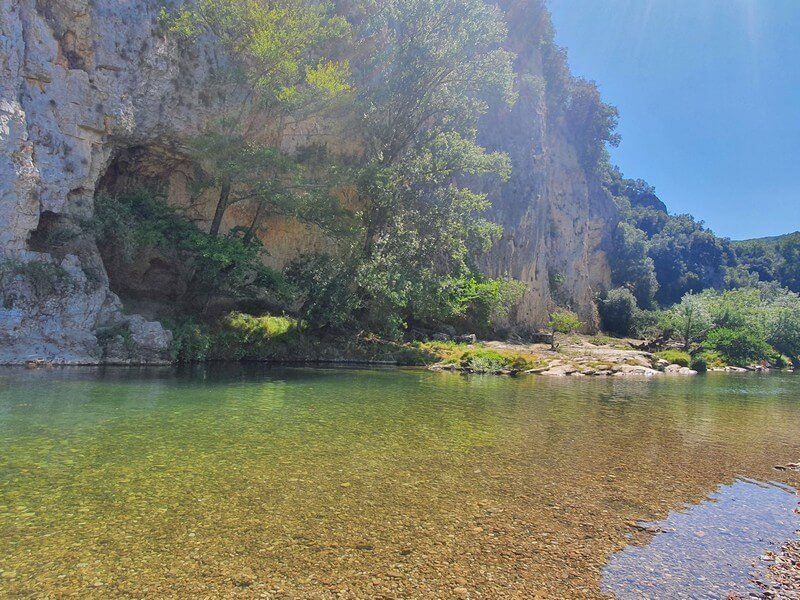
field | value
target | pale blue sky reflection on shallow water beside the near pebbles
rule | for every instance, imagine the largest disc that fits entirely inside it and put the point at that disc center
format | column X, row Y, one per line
column 707, row 550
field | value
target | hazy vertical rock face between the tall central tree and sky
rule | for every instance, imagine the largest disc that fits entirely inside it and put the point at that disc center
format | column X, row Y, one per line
column 557, row 218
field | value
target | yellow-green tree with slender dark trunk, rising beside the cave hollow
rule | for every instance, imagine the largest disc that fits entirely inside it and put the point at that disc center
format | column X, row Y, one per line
column 275, row 68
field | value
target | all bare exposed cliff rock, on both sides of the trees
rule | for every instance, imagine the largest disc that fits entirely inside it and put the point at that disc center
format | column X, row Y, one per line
column 90, row 87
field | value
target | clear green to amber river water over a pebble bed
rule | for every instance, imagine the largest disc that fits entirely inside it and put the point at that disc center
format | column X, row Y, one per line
column 254, row 482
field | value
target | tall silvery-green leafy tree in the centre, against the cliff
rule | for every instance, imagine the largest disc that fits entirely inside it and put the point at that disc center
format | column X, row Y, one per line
column 422, row 225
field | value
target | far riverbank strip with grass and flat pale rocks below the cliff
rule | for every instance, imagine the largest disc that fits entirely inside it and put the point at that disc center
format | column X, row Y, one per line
column 576, row 355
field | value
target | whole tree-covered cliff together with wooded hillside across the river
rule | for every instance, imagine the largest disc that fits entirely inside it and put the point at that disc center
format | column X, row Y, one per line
column 303, row 180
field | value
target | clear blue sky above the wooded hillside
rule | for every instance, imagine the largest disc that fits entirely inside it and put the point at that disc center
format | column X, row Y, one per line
column 709, row 100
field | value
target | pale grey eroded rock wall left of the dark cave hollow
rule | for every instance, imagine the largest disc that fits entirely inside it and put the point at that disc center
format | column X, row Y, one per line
column 80, row 80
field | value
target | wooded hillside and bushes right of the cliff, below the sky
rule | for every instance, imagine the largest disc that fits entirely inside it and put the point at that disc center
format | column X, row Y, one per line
column 733, row 303
